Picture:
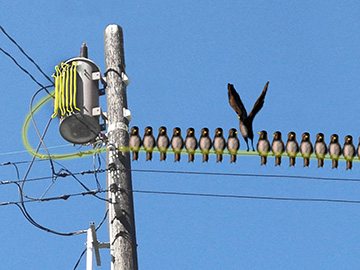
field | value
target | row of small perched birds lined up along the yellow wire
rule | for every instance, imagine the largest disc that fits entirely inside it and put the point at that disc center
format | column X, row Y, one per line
column 219, row 145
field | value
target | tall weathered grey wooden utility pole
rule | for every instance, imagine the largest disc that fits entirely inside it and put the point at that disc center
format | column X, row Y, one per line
column 121, row 220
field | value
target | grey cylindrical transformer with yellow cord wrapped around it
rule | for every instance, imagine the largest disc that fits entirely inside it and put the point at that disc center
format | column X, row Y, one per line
column 77, row 98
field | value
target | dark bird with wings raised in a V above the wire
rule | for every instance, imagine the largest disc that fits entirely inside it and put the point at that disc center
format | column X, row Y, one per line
column 246, row 121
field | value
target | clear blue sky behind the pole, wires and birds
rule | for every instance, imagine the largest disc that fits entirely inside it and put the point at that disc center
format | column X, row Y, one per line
column 180, row 57
